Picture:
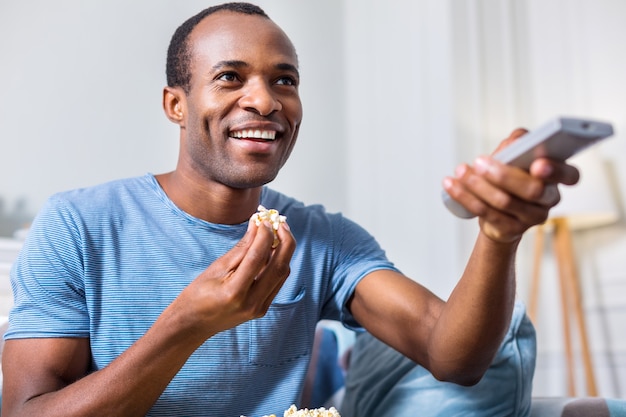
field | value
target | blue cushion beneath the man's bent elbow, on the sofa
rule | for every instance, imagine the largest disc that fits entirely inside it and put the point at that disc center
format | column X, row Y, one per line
column 383, row 383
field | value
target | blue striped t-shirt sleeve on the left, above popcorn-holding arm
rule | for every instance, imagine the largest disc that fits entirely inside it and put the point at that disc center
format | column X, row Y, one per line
column 47, row 278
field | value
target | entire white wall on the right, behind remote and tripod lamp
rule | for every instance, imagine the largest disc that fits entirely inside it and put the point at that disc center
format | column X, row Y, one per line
column 433, row 83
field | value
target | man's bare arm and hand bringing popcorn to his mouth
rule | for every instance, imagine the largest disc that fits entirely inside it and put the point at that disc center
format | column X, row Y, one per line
column 50, row 376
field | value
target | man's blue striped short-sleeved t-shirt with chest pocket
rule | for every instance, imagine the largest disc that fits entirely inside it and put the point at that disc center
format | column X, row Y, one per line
column 103, row 262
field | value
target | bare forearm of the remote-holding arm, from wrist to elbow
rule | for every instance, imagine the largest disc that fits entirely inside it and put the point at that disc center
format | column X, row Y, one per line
column 477, row 314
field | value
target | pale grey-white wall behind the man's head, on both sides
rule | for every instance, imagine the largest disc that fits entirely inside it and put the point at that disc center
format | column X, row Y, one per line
column 82, row 85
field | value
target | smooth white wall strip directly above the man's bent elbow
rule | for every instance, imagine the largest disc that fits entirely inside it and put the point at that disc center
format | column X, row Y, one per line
column 401, row 133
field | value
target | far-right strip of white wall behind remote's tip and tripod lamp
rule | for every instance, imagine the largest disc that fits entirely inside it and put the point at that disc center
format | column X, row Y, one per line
column 576, row 64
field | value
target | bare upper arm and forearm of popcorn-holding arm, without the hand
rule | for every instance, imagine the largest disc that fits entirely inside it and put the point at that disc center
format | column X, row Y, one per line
column 49, row 376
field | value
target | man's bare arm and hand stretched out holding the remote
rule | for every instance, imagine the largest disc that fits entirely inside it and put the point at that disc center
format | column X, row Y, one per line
column 456, row 340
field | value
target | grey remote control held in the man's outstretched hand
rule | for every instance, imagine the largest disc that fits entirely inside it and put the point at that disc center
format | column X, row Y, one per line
column 558, row 139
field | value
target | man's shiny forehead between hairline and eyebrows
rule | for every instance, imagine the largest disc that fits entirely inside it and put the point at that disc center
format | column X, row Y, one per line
column 230, row 36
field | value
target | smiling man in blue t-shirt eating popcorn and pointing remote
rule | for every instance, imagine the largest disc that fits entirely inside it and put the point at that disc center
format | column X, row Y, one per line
column 156, row 295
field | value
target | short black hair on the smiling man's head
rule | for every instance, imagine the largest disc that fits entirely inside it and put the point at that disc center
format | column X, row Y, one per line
column 179, row 53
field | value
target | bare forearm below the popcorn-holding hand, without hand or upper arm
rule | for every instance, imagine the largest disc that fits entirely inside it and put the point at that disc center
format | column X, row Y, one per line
column 128, row 386
